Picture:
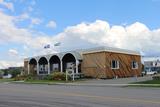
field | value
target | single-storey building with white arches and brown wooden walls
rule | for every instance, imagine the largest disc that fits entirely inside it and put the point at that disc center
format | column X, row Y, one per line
column 99, row 62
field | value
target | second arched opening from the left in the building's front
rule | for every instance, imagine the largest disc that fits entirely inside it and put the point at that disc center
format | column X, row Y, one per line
column 43, row 65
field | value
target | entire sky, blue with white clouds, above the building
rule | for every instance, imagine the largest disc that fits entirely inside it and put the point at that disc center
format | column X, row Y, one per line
column 26, row 26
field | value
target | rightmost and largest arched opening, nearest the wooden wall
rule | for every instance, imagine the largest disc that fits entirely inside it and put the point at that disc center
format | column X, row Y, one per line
column 68, row 61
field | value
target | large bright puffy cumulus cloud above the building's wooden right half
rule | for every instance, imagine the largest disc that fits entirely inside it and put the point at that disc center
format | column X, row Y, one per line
column 136, row 36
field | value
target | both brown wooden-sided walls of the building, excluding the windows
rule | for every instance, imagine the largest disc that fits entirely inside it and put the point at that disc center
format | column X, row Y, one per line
column 98, row 65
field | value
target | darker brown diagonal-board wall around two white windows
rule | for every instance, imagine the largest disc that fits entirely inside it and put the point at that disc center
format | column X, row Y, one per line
column 125, row 65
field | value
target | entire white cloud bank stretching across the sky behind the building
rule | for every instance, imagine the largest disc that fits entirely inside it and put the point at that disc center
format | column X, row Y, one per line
column 136, row 36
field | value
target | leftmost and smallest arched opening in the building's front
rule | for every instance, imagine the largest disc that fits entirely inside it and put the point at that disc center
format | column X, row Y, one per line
column 33, row 66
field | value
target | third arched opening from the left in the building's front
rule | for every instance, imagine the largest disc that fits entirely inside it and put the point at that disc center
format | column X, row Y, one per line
column 54, row 62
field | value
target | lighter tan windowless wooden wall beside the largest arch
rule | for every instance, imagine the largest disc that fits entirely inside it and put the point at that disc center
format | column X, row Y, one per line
column 93, row 65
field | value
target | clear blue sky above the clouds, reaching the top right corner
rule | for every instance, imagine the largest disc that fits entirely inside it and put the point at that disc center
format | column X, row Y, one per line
column 71, row 12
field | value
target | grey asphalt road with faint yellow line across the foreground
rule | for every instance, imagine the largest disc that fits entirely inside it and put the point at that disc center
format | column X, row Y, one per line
column 23, row 95
